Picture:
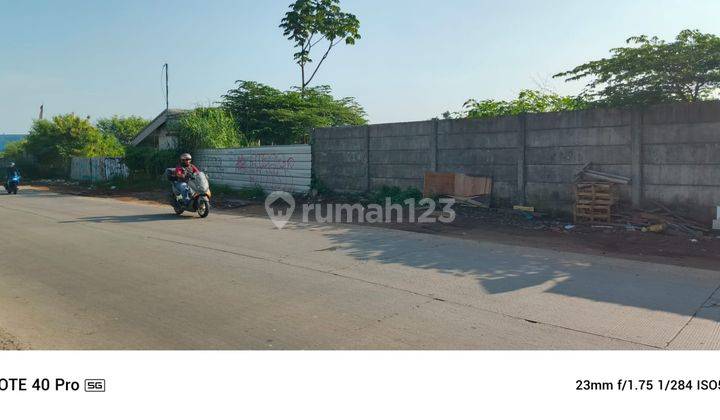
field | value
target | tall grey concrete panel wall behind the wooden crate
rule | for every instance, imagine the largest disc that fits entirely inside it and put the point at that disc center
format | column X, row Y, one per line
column 671, row 152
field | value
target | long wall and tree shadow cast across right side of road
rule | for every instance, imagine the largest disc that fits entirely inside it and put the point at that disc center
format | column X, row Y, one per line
column 499, row 269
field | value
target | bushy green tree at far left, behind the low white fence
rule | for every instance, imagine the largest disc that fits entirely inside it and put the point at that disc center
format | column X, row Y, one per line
column 54, row 142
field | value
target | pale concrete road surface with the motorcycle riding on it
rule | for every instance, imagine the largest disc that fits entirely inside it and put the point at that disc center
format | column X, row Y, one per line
column 93, row 273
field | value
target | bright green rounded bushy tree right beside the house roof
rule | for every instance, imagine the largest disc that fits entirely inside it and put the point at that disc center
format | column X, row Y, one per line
column 211, row 128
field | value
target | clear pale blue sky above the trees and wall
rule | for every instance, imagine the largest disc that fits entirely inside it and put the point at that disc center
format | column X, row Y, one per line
column 417, row 58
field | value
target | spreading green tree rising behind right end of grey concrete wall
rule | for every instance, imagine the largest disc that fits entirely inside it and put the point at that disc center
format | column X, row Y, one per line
column 651, row 71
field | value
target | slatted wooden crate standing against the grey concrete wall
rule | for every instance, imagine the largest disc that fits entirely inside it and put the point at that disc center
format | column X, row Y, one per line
column 594, row 202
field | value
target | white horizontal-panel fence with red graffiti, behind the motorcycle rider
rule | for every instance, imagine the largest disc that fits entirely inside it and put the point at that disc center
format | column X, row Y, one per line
column 283, row 168
